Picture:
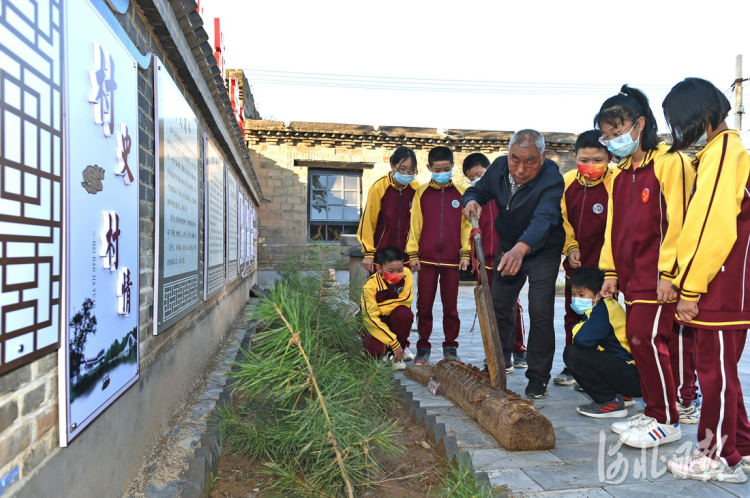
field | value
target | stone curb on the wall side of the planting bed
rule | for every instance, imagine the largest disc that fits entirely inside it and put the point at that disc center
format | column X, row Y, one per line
column 205, row 461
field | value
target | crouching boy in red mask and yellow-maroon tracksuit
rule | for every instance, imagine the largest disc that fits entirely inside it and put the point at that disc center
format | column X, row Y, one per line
column 386, row 307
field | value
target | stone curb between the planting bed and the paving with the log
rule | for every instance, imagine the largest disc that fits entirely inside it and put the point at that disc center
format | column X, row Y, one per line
column 447, row 446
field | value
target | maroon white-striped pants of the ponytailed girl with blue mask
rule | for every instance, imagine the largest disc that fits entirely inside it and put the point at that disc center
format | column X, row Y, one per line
column 649, row 329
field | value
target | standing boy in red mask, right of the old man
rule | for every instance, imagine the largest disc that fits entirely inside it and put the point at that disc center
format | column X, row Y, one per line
column 584, row 209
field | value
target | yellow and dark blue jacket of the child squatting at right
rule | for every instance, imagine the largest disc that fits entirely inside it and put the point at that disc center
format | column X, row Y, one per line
column 603, row 328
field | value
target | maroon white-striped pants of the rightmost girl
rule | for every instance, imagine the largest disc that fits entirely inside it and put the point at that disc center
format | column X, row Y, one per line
column 723, row 430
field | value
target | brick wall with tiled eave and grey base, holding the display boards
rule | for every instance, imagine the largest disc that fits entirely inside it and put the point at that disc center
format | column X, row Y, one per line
column 29, row 406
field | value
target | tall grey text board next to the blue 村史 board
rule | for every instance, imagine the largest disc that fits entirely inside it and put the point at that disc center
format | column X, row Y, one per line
column 176, row 272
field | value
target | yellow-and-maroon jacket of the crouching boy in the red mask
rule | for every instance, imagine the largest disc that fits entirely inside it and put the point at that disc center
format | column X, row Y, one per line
column 379, row 299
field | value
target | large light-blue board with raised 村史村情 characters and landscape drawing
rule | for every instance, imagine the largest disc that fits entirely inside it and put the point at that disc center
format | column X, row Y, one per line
column 102, row 229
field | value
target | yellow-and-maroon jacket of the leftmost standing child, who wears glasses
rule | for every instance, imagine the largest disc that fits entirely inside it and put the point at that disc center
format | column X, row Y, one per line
column 385, row 221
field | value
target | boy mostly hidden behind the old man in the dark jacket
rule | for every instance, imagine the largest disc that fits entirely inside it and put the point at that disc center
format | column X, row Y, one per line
column 474, row 167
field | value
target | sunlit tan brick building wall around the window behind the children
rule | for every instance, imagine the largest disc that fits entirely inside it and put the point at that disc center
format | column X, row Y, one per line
column 276, row 150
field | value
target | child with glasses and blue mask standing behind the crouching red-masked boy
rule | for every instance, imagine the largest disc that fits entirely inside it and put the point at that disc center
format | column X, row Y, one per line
column 387, row 215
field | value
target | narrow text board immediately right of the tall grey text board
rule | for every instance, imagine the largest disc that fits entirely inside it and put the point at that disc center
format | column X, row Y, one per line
column 213, row 252
